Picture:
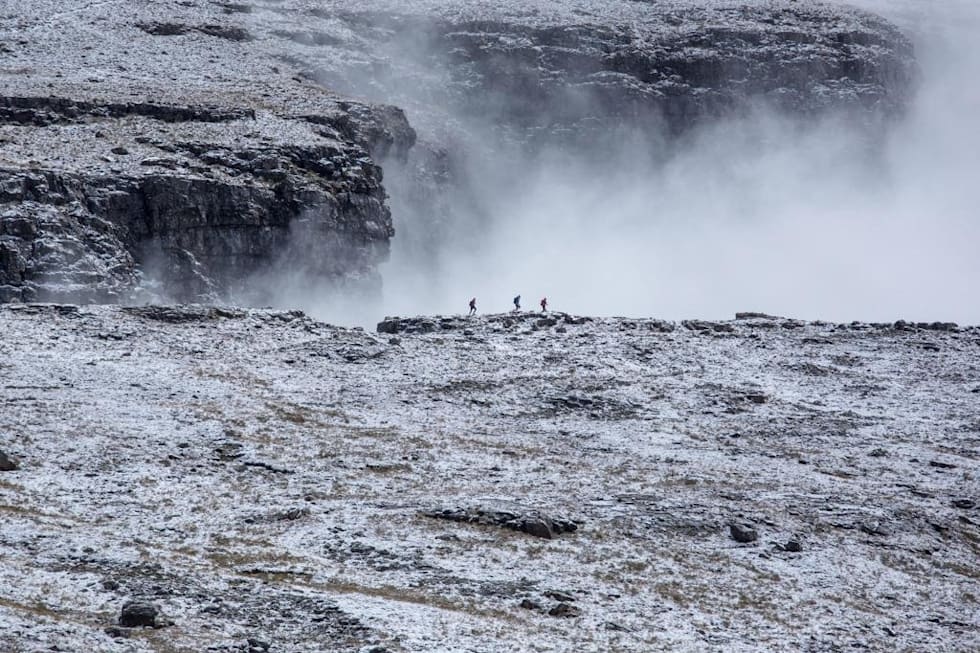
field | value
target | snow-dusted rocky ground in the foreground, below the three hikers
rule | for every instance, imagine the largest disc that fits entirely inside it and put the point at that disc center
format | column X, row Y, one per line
column 262, row 475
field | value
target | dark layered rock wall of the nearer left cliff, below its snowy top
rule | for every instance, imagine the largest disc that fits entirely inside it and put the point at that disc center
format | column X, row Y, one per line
column 190, row 219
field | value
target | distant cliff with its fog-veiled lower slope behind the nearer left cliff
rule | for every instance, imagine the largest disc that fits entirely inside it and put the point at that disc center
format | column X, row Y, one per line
column 493, row 86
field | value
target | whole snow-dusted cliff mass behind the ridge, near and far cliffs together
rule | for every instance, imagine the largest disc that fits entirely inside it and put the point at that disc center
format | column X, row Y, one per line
column 185, row 149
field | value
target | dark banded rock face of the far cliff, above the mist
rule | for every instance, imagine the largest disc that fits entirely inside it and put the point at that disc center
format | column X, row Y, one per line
column 577, row 67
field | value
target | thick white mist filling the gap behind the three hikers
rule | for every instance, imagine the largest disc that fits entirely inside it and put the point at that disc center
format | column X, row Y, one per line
column 759, row 213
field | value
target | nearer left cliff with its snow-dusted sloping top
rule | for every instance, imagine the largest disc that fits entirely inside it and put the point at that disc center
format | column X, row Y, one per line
column 169, row 173
